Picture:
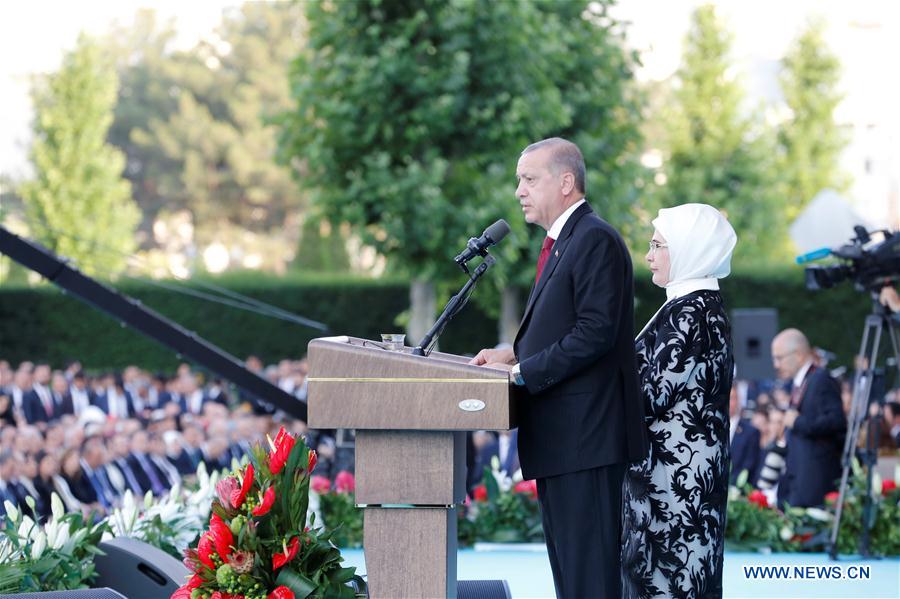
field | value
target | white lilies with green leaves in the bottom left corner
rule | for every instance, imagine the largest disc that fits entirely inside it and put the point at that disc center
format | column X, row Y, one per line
column 56, row 556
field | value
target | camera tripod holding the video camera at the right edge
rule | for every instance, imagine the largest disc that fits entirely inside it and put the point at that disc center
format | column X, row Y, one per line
column 863, row 381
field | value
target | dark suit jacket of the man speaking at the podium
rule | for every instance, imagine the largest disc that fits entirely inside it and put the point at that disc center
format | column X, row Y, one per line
column 575, row 346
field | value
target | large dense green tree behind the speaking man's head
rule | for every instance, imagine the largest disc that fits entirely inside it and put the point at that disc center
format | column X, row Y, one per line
column 410, row 117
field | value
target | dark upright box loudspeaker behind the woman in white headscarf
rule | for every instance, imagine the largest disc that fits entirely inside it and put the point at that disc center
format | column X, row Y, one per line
column 752, row 331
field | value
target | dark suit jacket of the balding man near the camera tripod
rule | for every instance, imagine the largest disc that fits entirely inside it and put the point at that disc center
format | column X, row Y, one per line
column 815, row 443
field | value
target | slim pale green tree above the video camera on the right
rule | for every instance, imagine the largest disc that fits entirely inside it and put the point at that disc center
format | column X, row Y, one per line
column 810, row 141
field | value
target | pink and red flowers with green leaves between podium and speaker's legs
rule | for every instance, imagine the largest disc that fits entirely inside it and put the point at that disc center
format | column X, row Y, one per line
column 503, row 509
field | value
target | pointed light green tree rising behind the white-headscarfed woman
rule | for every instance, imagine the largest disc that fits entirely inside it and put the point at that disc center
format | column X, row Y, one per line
column 714, row 152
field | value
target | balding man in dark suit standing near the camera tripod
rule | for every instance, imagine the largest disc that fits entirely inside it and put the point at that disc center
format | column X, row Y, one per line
column 815, row 420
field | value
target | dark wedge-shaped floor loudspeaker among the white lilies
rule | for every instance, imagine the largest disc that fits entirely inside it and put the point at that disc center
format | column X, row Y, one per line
column 138, row 570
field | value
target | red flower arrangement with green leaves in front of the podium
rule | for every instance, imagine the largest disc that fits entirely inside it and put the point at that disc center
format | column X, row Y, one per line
column 259, row 544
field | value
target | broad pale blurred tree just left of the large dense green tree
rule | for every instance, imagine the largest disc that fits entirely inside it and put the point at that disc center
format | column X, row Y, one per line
column 212, row 135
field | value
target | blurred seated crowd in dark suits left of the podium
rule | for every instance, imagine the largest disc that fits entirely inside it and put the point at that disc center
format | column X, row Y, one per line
column 92, row 438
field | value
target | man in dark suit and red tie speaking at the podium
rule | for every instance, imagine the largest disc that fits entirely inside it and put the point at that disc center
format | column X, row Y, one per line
column 581, row 418
